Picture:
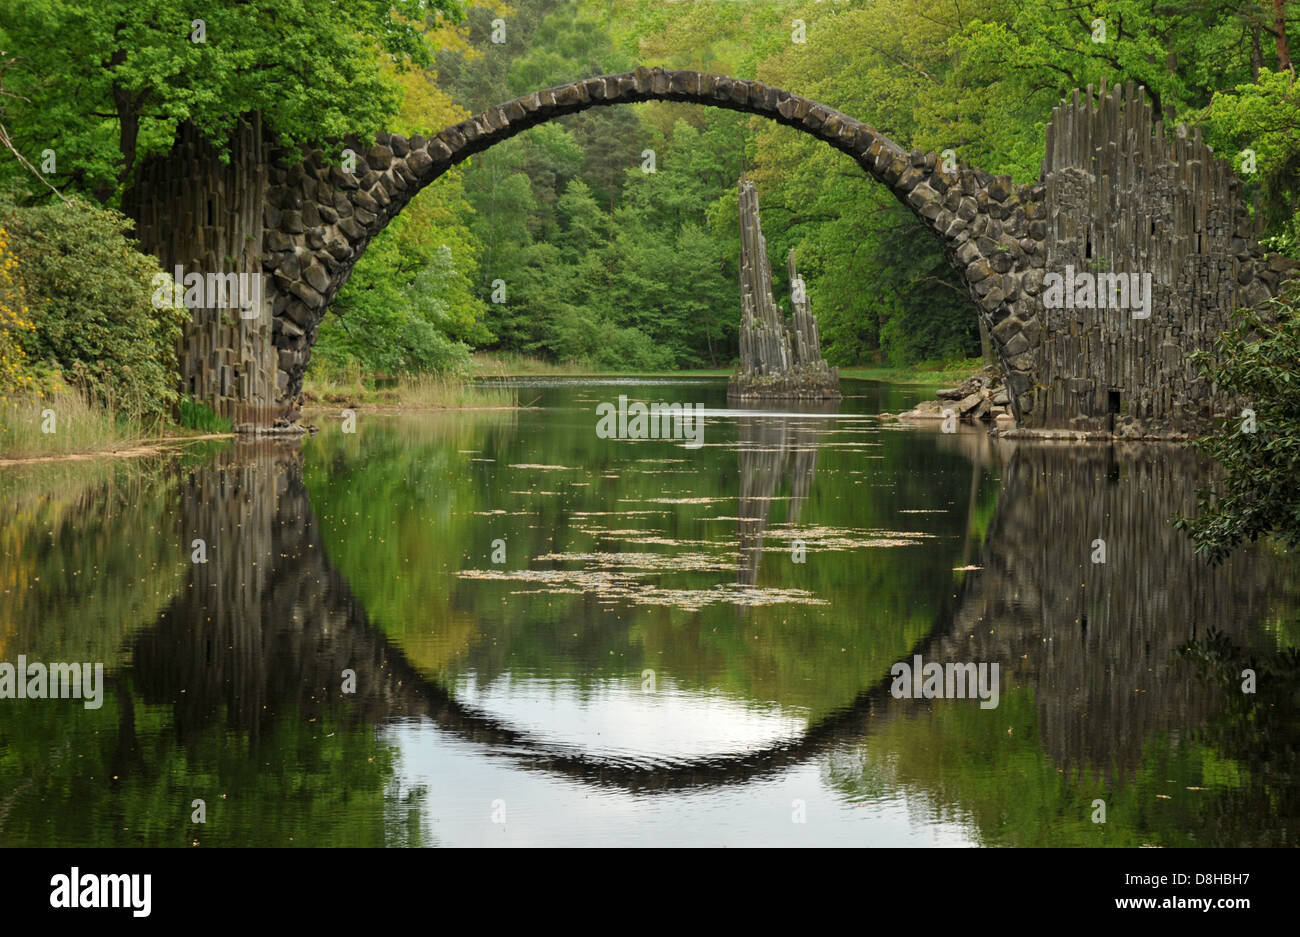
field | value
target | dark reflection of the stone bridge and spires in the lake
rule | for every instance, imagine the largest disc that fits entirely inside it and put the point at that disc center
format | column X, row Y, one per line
column 272, row 627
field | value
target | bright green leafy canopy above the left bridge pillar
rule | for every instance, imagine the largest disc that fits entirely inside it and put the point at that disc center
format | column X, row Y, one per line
column 141, row 68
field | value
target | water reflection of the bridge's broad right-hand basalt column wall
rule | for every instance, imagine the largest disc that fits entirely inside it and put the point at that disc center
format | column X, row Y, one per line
column 1098, row 643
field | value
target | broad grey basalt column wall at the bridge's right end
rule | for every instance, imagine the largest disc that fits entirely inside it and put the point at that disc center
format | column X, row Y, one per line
column 1129, row 203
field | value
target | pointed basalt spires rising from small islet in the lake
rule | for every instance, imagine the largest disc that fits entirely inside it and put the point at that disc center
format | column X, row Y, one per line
column 779, row 358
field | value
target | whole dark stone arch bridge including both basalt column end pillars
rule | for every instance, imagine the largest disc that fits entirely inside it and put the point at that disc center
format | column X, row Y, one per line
column 1115, row 197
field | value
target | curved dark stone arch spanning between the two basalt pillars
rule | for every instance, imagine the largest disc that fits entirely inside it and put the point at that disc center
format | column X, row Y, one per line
column 322, row 219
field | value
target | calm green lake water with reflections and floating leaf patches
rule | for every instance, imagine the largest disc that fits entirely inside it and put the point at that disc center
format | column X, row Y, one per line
column 497, row 628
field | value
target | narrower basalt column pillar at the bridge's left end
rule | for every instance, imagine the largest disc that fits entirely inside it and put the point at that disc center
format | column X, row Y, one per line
column 206, row 218
